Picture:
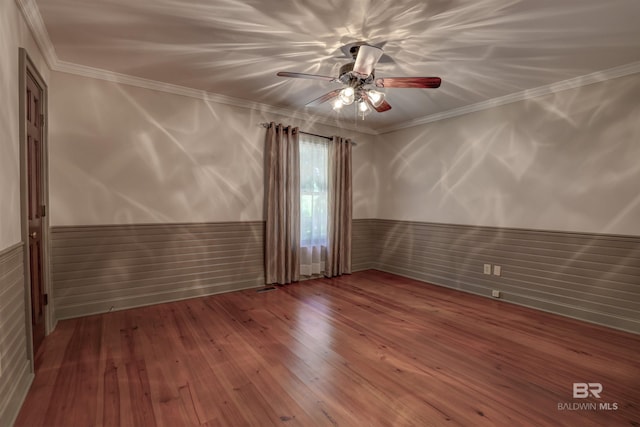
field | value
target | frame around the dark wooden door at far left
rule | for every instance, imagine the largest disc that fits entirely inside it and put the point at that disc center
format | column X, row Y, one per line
column 28, row 66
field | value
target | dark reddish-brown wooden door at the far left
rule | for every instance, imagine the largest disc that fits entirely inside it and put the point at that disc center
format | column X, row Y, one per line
column 34, row 123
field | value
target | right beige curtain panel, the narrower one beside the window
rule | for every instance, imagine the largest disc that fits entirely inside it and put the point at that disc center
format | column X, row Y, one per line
column 340, row 208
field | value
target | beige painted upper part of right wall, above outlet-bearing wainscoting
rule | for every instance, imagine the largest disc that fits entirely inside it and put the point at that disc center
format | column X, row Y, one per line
column 568, row 161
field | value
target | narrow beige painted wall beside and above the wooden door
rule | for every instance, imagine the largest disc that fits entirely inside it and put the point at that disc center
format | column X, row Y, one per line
column 13, row 34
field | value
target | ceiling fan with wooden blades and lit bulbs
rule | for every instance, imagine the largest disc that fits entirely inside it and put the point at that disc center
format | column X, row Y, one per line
column 360, row 82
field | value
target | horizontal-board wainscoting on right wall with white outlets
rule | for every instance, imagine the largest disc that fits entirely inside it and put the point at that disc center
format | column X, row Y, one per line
column 593, row 277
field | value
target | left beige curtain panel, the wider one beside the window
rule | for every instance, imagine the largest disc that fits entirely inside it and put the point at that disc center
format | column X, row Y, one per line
column 282, row 204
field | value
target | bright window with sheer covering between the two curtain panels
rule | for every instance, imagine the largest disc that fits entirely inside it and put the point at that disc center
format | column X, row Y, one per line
column 313, row 203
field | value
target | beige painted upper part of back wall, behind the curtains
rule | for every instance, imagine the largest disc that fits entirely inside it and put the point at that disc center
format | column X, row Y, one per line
column 121, row 154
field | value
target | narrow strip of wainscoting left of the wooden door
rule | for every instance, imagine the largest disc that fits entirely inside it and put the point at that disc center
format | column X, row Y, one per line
column 15, row 372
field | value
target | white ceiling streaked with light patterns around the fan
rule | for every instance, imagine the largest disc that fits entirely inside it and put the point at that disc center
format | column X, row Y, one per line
column 482, row 49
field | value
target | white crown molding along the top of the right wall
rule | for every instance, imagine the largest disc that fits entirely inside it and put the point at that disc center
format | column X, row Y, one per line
column 572, row 83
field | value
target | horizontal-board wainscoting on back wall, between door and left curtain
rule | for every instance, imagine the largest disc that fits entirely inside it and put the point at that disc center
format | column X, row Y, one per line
column 113, row 267
